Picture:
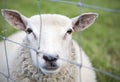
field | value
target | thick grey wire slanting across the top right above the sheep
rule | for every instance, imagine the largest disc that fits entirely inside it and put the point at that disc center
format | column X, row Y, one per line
column 80, row 4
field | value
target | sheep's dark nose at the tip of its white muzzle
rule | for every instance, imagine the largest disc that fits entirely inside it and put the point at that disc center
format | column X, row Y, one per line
column 50, row 58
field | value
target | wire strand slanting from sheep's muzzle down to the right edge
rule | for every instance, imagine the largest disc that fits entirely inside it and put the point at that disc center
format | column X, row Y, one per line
column 92, row 68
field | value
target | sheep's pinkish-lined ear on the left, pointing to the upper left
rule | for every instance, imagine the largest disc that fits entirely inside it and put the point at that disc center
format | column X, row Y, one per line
column 14, row 18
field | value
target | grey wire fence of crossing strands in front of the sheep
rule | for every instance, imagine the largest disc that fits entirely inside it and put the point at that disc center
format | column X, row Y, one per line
column 79, row 4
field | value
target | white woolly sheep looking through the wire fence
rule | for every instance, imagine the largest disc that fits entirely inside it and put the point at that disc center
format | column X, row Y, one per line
column 44, row 62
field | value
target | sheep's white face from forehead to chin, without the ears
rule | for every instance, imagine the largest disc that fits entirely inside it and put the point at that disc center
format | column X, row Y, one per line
column 55, row 41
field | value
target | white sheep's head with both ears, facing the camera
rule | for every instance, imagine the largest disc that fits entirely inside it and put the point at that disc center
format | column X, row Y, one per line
column 54, row 39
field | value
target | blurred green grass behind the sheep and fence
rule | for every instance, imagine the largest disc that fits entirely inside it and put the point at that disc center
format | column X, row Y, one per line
column 101, row 41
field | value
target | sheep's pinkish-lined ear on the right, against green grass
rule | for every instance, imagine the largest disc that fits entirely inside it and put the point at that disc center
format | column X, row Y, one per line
column 83, row 21
